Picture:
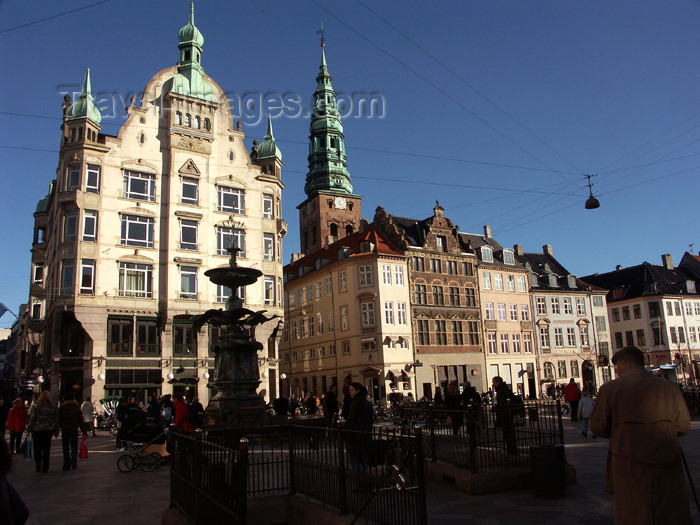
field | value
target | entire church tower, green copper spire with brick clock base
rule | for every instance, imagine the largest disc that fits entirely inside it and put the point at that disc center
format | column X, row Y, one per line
column 331, row 210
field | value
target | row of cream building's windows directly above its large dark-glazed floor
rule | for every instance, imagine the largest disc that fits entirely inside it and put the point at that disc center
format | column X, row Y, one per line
column 136, row 280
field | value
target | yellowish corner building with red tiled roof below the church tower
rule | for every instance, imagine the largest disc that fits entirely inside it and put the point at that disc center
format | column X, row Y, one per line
column 346, row 318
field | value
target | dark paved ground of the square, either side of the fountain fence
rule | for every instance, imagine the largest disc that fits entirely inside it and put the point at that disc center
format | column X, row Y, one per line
column 97, row 493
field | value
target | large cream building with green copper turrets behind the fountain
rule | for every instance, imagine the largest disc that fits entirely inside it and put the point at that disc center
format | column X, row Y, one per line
column 129, row 227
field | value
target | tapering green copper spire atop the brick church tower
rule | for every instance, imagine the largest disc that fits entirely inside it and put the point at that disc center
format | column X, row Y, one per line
column 328, row 170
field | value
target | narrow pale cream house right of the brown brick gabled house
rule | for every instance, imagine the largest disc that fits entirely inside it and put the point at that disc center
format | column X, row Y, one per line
column 509, row 348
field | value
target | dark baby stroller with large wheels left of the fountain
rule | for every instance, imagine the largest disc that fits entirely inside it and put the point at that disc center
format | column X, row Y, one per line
column 146, row 447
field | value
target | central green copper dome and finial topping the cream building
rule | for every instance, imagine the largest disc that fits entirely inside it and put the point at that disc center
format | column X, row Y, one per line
column 189, row 80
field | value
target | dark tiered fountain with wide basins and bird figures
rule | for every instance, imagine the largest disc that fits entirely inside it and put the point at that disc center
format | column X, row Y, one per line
column 236, row 374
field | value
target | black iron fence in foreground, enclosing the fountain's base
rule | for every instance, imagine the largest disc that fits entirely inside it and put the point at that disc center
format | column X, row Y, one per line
column 378, row 475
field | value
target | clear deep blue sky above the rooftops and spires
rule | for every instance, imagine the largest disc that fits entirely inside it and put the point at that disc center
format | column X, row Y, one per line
column 497, row 109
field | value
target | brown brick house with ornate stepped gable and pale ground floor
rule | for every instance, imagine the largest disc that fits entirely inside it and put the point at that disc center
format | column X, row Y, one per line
column 444, row 300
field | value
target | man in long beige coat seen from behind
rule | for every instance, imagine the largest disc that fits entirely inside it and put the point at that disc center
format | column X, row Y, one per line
column 643, row 415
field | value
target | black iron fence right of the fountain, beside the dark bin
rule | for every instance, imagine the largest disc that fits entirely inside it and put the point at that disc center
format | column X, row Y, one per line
column 486, row 436
